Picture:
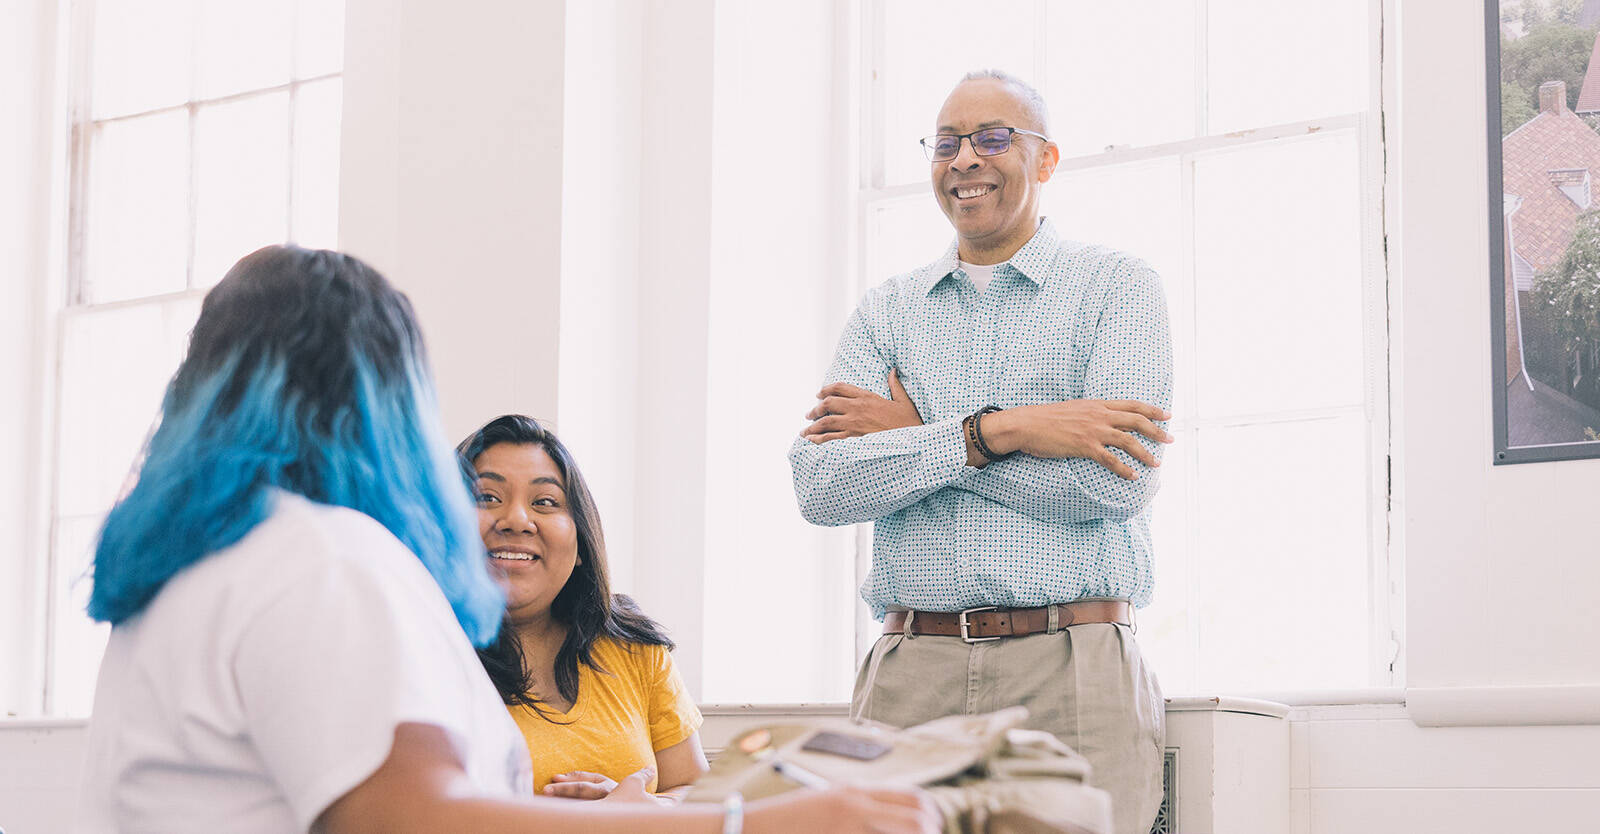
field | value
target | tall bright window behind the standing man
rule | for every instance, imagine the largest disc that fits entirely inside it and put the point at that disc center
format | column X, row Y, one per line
column 1234, row 146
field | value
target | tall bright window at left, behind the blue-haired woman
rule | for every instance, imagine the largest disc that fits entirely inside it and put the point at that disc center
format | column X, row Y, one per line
column 201, row 132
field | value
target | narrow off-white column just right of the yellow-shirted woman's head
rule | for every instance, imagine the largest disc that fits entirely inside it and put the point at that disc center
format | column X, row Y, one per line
column 674, row 262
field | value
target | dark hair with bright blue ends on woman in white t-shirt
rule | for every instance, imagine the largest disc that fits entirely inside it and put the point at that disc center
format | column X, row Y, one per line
column 306, row 374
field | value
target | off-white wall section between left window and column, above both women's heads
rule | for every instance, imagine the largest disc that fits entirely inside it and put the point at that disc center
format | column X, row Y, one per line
column 452, row 186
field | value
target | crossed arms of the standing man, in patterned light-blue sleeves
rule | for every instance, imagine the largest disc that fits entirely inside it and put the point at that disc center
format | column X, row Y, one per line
column 870, row 454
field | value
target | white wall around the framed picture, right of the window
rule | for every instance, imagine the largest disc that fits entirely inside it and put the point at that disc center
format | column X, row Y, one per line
column 1503, row 563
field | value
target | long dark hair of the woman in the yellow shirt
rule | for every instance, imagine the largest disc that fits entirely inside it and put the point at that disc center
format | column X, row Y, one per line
column 585, row 604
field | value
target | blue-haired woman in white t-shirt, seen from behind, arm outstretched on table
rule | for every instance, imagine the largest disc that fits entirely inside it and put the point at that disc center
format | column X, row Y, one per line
column 295, row 587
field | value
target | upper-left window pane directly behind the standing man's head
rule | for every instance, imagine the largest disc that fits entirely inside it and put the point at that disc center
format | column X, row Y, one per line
column 927, row 47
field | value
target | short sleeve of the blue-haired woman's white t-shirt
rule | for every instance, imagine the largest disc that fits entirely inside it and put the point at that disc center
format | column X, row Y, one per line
column 337, row 662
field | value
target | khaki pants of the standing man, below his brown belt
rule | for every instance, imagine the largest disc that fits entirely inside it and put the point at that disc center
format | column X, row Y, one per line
column 1086, row 684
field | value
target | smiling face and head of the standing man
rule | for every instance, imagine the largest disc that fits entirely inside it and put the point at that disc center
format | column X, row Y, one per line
column 993, row 202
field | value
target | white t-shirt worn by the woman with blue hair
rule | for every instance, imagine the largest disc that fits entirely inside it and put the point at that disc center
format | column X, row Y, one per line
column 266, row 681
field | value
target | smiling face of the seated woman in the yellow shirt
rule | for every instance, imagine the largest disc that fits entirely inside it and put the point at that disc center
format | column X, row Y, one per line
column 527, row 526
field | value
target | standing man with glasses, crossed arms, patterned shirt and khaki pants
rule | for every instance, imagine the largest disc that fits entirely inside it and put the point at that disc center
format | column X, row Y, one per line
column 999, row 415
